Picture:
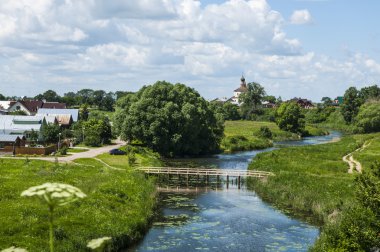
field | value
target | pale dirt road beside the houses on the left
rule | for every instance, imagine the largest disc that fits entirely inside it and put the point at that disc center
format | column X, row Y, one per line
column 91, row 153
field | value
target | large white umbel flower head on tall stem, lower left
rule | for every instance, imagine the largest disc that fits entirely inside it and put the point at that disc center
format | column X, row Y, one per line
column 55, row 194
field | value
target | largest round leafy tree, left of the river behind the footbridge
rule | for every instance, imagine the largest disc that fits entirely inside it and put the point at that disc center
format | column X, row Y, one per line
column 171, row 119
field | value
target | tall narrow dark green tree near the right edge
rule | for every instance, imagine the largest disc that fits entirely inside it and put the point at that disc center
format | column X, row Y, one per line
column 351, row 104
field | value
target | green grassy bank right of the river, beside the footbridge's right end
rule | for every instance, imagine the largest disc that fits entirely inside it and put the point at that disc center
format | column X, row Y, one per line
column 311, row 181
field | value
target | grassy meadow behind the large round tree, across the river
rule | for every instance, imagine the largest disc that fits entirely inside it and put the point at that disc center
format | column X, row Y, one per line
column 245, row 135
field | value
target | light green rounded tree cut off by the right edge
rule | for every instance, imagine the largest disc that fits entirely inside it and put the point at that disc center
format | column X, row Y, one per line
column 368, row 118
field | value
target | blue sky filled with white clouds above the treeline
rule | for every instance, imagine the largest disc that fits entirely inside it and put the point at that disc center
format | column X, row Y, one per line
column 294, row 48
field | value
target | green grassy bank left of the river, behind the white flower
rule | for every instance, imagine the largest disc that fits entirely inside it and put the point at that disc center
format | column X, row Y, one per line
column 119, row 203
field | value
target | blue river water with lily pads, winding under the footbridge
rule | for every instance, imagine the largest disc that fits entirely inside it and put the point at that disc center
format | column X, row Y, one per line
column 214, row 218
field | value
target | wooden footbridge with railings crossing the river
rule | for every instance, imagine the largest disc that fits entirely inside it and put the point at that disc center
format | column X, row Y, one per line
column 206, row 173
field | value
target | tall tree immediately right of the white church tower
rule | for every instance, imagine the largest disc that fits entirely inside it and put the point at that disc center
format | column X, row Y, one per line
column 252, row 99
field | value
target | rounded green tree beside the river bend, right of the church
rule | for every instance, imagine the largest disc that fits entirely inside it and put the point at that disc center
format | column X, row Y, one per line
column 290, row 117
